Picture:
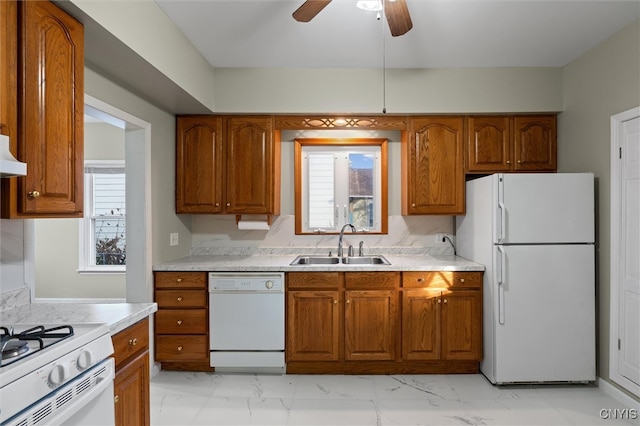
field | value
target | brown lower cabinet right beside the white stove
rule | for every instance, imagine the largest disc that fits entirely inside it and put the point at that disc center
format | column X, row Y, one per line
column 131, row 383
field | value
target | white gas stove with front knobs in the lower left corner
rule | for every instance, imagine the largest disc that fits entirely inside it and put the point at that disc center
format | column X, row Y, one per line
column 48, row 373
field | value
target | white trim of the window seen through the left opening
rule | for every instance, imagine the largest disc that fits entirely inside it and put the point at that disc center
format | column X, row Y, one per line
column 84, row 231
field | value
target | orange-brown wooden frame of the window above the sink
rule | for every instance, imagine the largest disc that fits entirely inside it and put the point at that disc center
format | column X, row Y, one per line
column 299, row 143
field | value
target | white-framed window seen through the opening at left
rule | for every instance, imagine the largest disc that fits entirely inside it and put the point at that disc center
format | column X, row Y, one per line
column 103, row 228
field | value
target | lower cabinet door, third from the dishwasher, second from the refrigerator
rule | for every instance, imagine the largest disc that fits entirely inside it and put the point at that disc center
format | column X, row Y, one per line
column 421, row 324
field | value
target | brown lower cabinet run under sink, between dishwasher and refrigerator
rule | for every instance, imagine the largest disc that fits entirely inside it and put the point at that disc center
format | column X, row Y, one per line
column 384, row 322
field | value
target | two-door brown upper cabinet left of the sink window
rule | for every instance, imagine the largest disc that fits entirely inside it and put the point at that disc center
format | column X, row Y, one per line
column 228, row 165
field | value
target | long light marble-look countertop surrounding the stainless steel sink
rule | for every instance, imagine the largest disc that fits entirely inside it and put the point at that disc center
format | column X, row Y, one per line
column 281, row 263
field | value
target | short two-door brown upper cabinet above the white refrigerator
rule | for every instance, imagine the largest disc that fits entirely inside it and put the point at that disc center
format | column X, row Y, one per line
column 511, row 144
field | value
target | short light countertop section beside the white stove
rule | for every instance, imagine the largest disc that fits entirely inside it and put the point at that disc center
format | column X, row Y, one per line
column 117, row 316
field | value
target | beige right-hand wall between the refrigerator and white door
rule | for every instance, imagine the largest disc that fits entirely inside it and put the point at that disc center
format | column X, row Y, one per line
column 603, row 82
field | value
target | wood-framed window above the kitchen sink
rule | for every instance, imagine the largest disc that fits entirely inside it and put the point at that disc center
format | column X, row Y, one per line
column 340, row 181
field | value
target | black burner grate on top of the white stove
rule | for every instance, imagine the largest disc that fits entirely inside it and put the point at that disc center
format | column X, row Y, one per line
column 13, row 344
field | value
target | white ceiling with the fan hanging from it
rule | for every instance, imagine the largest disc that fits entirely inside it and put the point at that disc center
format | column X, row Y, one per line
column 446, row 33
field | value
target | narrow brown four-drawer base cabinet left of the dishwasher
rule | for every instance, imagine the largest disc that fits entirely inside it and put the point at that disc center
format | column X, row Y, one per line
column 182, row 320
